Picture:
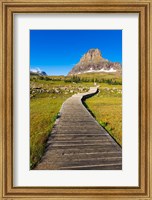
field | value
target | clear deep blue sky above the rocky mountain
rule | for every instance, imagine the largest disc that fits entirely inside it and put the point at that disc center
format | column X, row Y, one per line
column 57, row 51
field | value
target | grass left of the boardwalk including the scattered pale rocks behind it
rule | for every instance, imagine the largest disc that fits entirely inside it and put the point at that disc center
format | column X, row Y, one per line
column 47, row 98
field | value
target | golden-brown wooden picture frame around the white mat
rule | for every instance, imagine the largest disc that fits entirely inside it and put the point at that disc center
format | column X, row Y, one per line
column 8, row 8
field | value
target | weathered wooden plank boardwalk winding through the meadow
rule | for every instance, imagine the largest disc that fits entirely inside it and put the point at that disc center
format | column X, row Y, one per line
column 78, row 142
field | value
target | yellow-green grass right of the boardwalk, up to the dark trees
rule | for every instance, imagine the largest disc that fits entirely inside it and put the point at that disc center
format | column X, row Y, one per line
column 107, row 109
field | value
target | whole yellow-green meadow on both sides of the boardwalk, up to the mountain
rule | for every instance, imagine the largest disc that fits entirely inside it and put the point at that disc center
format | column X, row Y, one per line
column 48, row 93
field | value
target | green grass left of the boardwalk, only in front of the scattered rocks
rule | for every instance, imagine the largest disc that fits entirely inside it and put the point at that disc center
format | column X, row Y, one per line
column 43, row 113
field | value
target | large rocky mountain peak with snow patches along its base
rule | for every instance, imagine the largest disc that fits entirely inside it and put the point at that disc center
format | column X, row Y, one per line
column 93, row 61
